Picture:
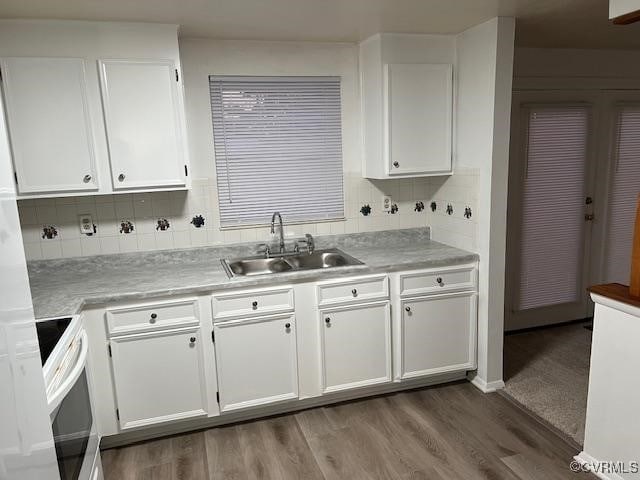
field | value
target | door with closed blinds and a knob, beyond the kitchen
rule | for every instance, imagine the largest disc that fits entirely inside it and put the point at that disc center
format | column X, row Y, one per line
column 550, row 216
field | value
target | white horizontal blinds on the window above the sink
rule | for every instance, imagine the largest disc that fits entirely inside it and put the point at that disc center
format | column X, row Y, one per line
column 278, row 147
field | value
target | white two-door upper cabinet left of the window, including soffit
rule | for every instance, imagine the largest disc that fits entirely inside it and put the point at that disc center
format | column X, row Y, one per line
column 93, row 107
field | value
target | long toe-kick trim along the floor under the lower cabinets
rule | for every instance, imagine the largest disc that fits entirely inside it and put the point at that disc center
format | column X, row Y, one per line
column 175, row 428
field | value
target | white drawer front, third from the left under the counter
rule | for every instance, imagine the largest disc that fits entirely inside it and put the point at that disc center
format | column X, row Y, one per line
column 355, row 289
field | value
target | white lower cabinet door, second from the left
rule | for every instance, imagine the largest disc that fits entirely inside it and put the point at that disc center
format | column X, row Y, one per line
column 257, row 362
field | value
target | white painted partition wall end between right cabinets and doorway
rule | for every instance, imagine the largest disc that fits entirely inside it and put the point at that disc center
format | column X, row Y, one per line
column 484, row 64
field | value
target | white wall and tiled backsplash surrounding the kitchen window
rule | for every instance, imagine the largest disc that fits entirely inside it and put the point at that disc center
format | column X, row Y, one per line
column 201, row 58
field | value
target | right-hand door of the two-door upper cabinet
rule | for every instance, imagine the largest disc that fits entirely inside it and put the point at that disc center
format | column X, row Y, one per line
column 143, row 120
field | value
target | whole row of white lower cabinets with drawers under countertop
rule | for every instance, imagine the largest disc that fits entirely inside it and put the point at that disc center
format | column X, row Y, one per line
column 351, row 335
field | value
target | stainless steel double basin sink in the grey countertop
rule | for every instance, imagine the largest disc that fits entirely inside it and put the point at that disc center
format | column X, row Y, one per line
column 289, row 262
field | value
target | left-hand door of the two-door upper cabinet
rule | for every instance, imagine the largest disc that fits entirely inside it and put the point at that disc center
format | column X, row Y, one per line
column 49, row 125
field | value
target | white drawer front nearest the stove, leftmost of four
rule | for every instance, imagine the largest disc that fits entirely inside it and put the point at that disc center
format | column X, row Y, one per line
column 148, row 317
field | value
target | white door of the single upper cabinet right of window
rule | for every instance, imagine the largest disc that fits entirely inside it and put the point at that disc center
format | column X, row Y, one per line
column 418, row 118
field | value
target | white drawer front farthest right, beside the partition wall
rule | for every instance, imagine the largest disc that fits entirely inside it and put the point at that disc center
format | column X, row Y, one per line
column 438, row 281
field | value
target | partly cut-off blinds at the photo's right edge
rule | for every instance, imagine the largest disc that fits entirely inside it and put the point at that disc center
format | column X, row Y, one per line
column 623, row 194
